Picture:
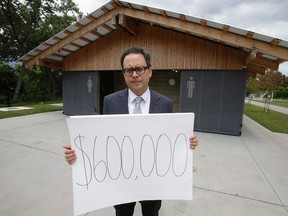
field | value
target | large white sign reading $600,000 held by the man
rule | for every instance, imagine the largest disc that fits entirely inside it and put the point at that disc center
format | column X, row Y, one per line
column 126, row 158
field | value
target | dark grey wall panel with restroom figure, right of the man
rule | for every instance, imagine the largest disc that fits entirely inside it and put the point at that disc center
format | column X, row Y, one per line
column 216, row 98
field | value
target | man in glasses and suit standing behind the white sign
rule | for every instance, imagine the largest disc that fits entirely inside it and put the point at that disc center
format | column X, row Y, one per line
column 137, row 72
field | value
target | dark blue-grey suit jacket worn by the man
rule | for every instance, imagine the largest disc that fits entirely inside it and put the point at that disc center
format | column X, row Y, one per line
column 117, row 103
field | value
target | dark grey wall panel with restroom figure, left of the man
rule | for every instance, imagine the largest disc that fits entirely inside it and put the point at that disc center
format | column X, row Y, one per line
column 80, row 93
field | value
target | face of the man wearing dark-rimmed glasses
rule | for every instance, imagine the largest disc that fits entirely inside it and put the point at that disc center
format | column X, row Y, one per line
column 137, row 83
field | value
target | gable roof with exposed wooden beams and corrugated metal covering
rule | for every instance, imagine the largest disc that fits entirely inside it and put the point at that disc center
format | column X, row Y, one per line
column 262, row 51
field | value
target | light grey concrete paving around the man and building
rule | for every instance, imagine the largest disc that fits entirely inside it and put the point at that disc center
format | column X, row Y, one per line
column 234, row 175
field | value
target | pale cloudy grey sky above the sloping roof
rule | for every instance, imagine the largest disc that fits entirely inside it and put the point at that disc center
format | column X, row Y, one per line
column 268, row 17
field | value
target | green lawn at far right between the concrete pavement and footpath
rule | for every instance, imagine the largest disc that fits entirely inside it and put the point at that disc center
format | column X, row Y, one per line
column 273, row 121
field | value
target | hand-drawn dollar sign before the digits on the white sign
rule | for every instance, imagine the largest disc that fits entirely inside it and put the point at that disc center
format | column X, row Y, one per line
column 78, row 144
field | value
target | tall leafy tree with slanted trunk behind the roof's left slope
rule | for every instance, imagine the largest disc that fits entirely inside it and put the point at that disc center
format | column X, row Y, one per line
column 24, row 24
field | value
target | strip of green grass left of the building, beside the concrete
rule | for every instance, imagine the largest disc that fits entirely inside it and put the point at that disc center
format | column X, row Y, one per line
column 37, row 108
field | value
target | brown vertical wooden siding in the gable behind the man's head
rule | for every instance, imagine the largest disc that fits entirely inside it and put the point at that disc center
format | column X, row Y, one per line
column 168, row 49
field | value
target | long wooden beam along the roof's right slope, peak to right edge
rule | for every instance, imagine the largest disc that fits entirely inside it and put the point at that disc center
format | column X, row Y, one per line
column 219, row 35
